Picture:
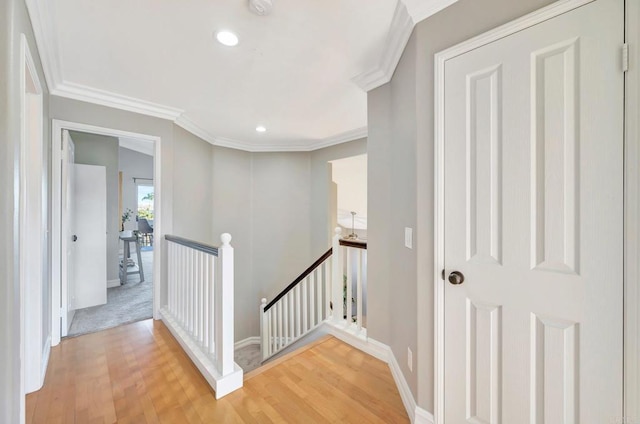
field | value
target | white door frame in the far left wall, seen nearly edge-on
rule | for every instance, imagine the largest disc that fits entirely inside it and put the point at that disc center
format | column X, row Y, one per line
column 34, row 354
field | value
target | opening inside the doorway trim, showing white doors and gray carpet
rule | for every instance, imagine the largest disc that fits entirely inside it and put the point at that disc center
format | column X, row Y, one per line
column 125, row 290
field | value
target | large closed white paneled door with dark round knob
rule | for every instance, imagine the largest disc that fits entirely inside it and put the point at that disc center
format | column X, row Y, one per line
column 533, row 221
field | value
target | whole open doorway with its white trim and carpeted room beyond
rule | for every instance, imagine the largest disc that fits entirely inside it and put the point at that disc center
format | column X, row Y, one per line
column 125, row 289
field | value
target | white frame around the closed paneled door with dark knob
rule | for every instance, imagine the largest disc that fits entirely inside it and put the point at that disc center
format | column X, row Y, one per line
column 631, row 199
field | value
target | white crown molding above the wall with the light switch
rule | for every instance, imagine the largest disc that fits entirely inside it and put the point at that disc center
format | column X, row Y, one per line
column 407, row 14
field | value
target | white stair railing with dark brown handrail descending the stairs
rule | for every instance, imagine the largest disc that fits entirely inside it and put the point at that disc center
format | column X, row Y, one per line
column 333, row 289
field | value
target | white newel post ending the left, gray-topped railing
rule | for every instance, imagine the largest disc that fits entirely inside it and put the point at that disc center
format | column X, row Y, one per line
column 224, row 319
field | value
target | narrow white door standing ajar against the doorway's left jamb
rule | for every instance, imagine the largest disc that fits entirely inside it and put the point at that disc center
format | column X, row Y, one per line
column 67, row 289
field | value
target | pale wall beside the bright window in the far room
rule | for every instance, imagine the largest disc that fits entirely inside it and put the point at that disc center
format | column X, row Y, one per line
column 133, row 164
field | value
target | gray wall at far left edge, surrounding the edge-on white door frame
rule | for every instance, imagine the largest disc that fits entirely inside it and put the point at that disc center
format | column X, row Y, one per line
column 14, row 21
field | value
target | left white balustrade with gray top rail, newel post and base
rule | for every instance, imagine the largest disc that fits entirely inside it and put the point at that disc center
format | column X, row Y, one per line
column 199, row 312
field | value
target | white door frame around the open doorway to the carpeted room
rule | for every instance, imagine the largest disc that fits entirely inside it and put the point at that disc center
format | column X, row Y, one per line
column 56, row 212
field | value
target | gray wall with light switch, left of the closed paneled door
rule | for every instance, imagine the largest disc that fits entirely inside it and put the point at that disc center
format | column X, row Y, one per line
column 401, row 124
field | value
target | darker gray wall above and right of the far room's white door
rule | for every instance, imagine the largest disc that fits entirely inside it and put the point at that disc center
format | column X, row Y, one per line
column 91, row 149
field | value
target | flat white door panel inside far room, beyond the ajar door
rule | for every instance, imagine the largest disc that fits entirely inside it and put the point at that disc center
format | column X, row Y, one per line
column 90, row 237
